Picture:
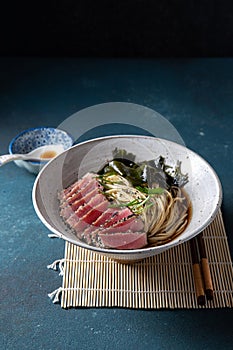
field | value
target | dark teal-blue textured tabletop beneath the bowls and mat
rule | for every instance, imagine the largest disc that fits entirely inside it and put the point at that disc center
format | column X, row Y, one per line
column 195, row 95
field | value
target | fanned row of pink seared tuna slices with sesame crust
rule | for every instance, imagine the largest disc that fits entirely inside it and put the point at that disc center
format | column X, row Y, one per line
column 91, row 216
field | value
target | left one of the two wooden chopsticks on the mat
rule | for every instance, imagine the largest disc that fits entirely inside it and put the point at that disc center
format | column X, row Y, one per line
column 199, row 287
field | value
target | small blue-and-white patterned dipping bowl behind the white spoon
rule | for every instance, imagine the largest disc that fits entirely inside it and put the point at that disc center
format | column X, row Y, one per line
column 33, row 138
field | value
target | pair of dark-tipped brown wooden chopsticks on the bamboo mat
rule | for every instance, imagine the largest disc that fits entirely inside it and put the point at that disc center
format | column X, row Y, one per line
column 201, row 270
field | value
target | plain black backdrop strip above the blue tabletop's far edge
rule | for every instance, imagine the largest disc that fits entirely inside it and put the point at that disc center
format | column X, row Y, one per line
column 117, row 28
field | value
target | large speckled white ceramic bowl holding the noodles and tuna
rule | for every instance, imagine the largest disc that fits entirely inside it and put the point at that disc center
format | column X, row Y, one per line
column 203, row 188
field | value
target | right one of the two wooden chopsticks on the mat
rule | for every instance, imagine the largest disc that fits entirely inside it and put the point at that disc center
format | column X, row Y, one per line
column 205, row 268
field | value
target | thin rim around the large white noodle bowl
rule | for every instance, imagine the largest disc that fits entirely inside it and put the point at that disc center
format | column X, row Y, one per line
column 140, row 251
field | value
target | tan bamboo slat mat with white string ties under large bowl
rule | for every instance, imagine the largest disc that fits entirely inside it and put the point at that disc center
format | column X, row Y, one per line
column 162, row 281
